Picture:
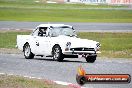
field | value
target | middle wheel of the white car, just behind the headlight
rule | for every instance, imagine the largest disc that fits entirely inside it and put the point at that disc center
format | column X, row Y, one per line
column 57, row 53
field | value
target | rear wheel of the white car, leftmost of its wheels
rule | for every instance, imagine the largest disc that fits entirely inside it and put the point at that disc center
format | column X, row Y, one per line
column 27, row 52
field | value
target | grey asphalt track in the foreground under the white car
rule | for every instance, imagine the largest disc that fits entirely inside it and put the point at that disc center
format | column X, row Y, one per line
column 64, row 71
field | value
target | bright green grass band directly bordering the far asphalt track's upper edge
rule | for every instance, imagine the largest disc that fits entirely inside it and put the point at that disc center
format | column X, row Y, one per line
column 52, row 15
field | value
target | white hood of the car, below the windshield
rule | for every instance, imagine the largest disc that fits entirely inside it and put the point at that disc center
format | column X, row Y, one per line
column 78, row 42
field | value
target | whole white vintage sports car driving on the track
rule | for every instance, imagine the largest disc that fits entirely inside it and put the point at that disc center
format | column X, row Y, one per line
column 58, row 41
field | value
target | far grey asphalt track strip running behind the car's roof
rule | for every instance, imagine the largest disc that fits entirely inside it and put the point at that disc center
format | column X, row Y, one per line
column 89, row 27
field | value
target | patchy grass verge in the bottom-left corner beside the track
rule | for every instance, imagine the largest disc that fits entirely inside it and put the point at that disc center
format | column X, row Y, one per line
column 7, row 81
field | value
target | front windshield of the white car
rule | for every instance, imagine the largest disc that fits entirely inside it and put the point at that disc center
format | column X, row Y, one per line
column 56, row 31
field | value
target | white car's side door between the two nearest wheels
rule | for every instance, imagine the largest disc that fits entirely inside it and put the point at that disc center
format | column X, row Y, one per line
column 41, row 43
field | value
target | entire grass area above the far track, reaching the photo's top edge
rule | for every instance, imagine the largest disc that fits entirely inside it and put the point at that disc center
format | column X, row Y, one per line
column 19, row 10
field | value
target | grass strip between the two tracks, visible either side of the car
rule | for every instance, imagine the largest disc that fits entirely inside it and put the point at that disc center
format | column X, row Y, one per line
column 112, row 44
